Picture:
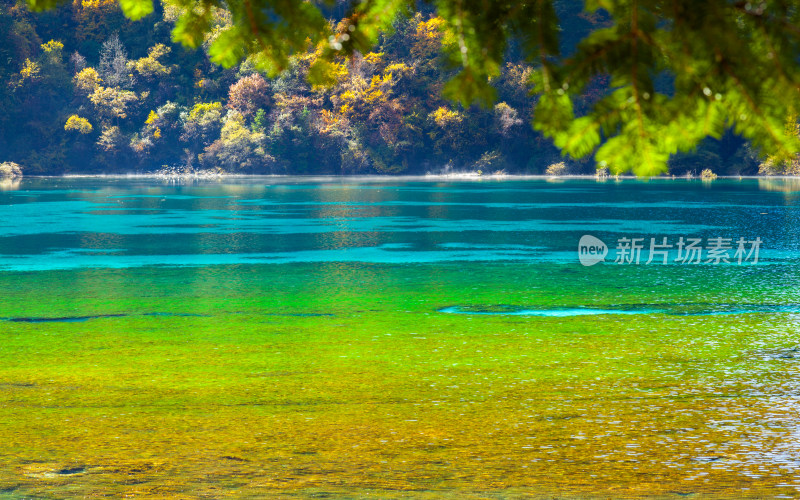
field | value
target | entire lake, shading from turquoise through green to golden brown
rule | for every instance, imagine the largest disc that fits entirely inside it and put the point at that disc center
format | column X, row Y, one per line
column 399, row 338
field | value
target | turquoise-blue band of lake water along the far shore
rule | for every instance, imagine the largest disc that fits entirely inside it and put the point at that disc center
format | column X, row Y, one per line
column 75, row 223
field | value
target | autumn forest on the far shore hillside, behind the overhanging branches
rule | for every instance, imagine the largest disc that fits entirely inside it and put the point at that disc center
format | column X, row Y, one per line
column 85, row 90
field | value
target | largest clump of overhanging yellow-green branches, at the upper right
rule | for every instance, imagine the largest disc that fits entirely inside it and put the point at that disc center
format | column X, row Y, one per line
column 718, row 81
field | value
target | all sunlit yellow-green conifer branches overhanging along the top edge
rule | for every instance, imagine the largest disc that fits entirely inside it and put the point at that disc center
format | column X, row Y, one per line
column 678, row 70
